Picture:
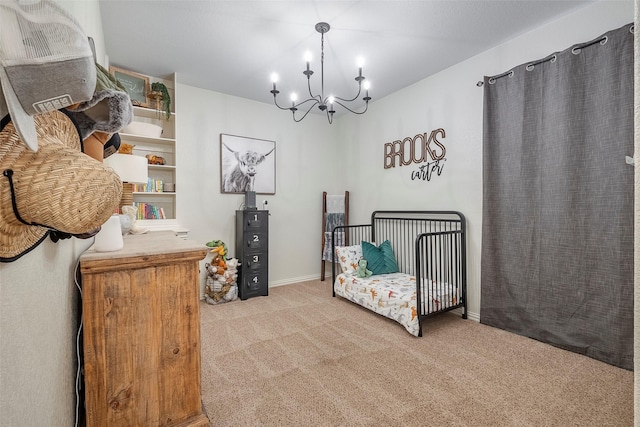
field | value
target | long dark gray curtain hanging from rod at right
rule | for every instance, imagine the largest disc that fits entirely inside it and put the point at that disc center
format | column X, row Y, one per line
column 557, row 232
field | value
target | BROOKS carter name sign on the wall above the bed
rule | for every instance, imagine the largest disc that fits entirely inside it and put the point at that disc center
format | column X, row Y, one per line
column 422, row 148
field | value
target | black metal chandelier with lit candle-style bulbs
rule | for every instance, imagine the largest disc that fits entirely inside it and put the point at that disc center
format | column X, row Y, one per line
column 325, row 104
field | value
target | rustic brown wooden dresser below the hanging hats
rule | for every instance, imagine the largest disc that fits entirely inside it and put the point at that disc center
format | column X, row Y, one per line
column 142, row 332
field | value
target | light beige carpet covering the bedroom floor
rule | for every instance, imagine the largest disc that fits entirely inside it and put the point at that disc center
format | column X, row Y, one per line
column 301, row 357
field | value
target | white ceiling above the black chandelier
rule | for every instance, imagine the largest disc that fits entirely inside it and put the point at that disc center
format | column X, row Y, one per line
column 234, row 46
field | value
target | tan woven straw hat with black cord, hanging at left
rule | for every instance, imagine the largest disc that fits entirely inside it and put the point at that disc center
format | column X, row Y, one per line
column 56, row 188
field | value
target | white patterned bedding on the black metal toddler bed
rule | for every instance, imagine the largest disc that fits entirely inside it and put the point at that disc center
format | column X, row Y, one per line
column 394, row 296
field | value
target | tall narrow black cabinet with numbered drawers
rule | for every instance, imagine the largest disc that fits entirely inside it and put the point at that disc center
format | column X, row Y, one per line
column 252, row 249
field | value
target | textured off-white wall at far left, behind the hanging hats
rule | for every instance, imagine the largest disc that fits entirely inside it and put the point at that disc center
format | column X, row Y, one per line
column 39, row 312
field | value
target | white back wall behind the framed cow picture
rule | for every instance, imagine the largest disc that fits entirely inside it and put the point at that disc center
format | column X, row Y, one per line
column 305, row 167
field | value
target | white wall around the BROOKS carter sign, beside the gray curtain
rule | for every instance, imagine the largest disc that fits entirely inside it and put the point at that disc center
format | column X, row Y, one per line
column 452, row 101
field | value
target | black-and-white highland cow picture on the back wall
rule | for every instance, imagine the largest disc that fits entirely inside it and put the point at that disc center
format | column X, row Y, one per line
column 247, row 164
